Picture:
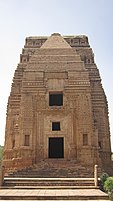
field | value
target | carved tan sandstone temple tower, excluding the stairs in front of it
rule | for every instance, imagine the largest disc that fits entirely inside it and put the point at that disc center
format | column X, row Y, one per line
column 57, row 109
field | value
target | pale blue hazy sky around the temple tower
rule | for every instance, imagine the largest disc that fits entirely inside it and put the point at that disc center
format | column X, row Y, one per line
column 22, row 18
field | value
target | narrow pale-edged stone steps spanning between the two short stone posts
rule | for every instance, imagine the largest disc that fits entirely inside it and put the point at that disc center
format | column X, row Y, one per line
column 49, row 182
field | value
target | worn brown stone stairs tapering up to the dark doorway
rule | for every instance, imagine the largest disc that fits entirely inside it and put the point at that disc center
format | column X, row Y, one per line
column 53, row 168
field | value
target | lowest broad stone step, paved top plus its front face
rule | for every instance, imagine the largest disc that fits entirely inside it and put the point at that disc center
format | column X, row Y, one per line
column 70, row 194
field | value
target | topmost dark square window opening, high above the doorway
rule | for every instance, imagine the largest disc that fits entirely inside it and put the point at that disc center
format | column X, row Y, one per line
column 55, row 99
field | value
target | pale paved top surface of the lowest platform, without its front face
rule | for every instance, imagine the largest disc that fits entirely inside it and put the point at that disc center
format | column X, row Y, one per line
column 52, row 192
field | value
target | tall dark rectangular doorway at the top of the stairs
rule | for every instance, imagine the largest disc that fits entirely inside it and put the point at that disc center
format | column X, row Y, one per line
column 56, row 147
